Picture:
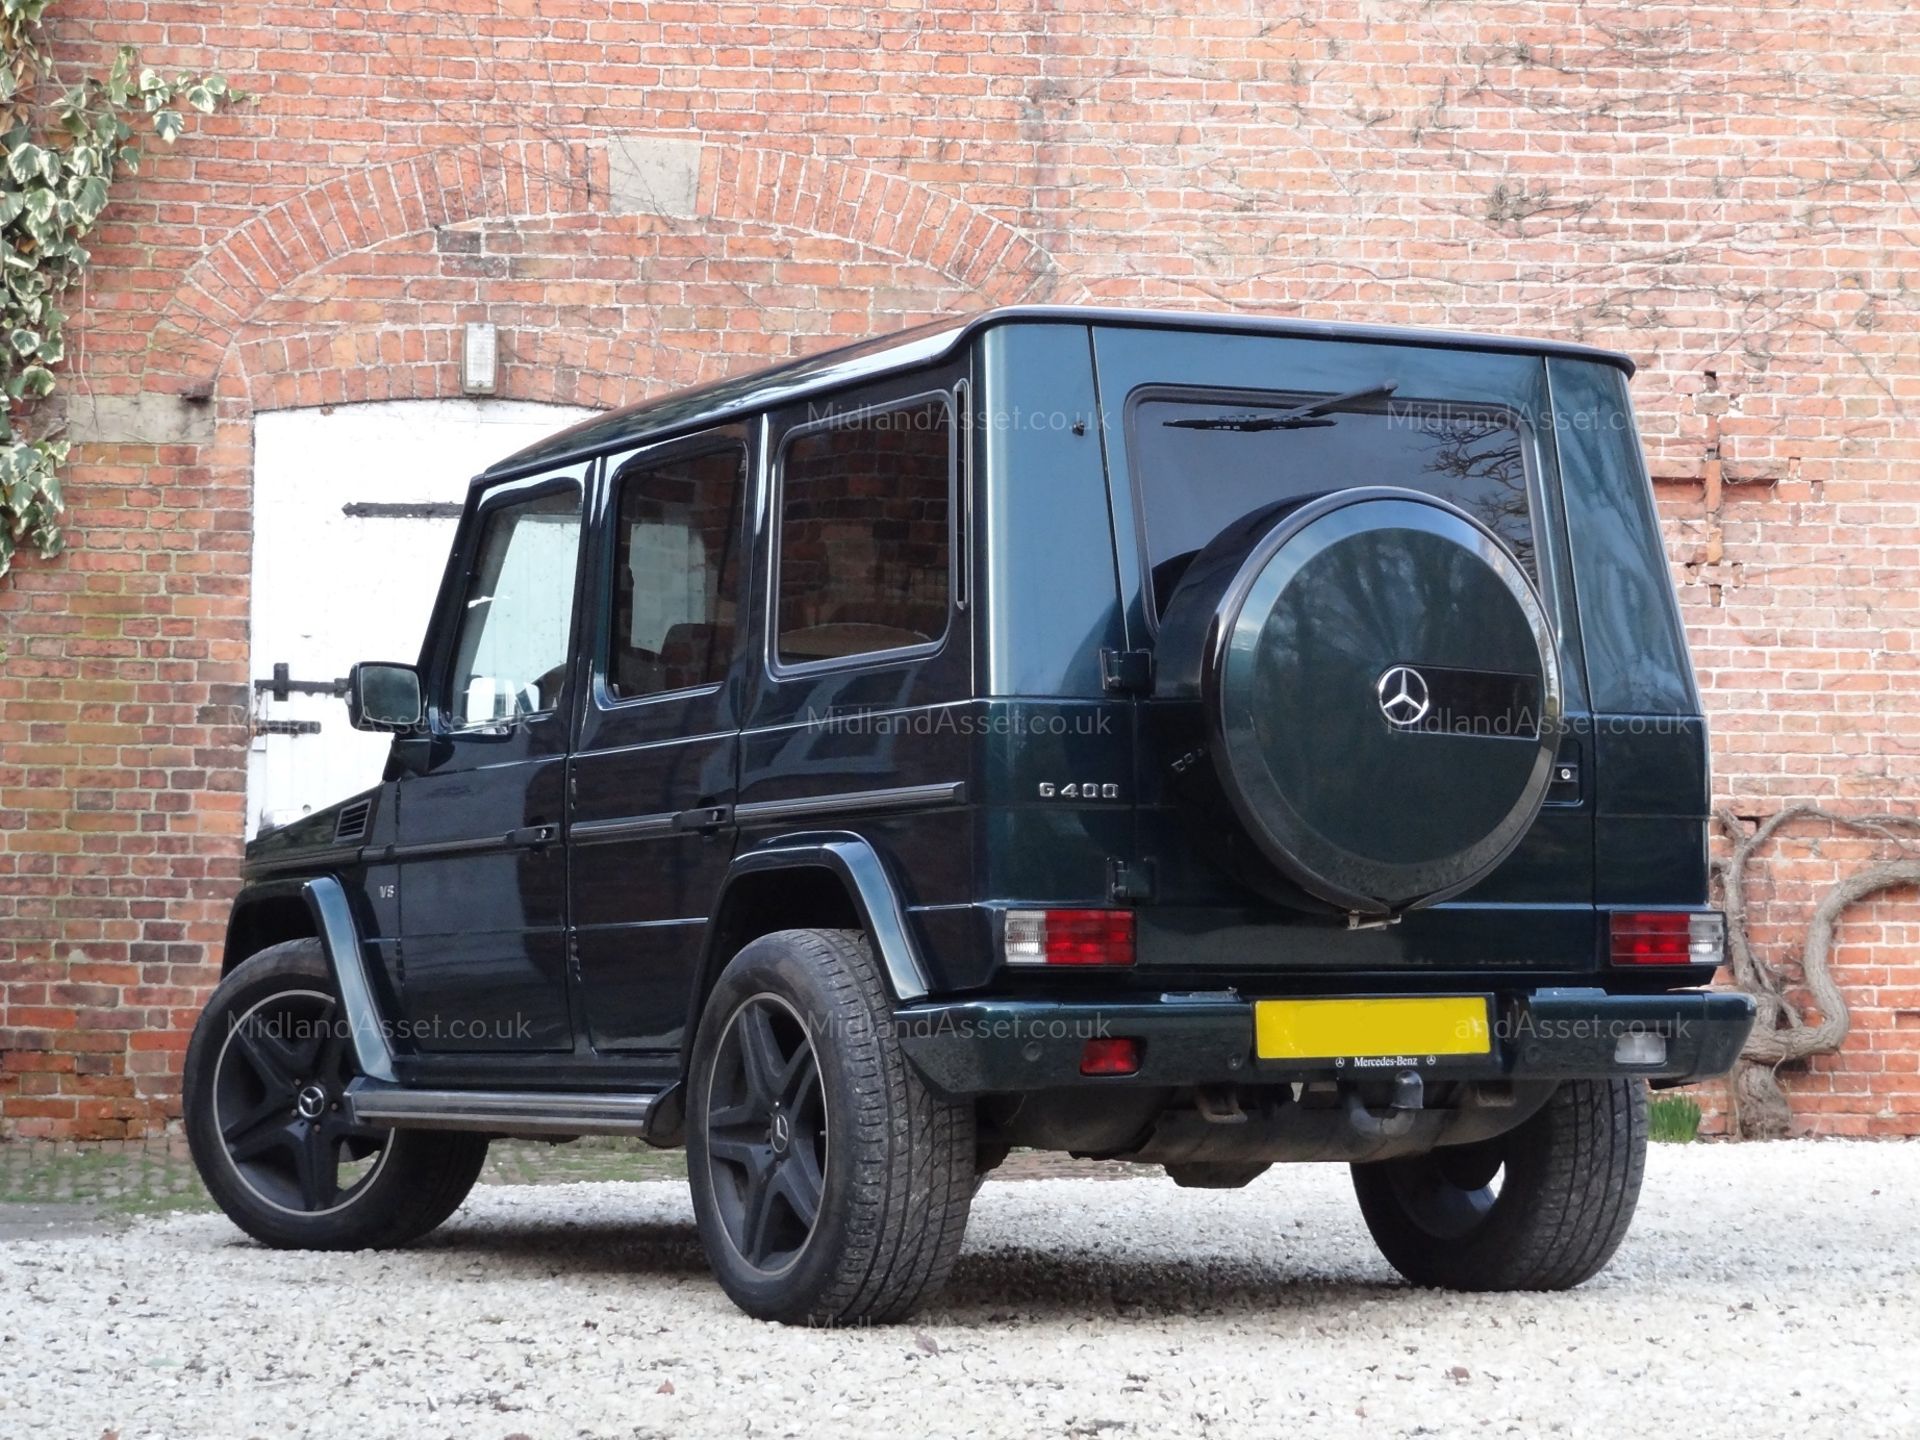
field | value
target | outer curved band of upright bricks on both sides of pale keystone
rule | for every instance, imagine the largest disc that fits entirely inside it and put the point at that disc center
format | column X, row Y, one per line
column 420, row 195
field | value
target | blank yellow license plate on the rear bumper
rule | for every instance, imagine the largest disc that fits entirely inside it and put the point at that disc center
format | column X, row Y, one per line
column 1355, row 1030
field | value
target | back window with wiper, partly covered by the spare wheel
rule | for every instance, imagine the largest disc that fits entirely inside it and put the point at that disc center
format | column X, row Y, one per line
column 1205, row 460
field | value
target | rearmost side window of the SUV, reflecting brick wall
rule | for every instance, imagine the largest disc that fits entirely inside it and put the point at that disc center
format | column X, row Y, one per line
column 867, row 535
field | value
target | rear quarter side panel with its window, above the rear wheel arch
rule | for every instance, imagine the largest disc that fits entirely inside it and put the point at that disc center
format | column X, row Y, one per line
column 861, row 683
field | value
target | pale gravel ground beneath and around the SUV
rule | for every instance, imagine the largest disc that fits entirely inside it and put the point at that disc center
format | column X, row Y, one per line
column 1764, row 1291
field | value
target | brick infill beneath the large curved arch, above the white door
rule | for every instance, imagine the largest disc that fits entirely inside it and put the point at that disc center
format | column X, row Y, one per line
column 343, row 335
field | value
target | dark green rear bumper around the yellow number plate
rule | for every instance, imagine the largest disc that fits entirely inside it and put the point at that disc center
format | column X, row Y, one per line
column 1007, row 1047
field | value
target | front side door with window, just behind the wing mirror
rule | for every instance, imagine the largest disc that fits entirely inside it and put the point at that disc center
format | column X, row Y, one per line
column 481, row 863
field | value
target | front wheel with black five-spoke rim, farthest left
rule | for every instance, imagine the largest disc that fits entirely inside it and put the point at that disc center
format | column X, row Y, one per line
column 264, row 1122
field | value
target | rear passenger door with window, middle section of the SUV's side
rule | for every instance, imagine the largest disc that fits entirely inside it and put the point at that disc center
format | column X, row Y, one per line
column 652, row 825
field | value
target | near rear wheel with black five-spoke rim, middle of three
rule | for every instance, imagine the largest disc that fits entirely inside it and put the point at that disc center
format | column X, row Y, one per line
column 830, row 1182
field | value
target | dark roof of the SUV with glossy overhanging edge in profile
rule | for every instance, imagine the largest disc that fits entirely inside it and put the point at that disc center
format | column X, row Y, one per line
column 779, row 385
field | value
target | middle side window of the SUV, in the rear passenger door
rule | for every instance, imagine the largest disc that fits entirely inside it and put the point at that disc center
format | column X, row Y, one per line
column 677, row 567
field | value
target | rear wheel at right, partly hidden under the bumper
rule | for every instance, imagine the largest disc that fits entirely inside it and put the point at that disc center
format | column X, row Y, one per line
column 1570, row 1184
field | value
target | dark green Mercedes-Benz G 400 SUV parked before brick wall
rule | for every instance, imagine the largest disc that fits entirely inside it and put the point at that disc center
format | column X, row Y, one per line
column 1191, row 740
